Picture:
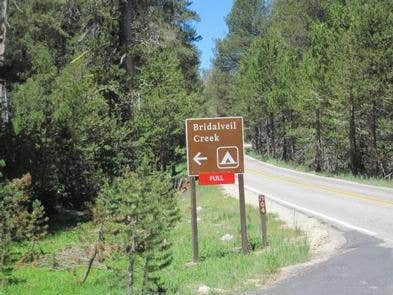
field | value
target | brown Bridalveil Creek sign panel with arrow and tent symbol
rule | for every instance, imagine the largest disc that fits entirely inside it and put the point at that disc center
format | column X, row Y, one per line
column 215, row 145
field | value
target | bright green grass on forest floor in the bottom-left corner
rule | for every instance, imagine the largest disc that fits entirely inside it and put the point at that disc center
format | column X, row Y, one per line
column 60, row 277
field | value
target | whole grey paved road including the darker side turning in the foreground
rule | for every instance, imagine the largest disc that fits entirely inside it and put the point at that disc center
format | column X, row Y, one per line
column 365, row 214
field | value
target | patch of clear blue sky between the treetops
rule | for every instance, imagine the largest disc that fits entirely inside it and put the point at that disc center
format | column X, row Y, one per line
column 211, row 27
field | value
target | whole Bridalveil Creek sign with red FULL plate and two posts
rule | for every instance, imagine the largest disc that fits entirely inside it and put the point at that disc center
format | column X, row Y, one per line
column 215, row 153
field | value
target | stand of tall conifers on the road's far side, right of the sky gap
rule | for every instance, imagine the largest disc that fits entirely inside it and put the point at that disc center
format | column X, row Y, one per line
column 313, row 80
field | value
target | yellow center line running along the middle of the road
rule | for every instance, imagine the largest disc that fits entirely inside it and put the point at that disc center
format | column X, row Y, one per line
column 317, row 187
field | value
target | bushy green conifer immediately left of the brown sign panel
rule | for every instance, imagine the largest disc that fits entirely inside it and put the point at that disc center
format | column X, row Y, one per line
column 162, row 109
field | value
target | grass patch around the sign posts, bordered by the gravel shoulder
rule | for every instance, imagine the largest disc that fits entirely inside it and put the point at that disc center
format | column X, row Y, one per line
column 222, row 265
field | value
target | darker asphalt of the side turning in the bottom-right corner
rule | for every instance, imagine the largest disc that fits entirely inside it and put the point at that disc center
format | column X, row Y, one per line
column 361, row 268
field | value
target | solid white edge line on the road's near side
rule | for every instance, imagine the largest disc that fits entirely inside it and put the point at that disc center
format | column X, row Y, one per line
column 313, row 213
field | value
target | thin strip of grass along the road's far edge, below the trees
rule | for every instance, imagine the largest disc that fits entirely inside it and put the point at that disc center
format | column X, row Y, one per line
column 305, row 168
